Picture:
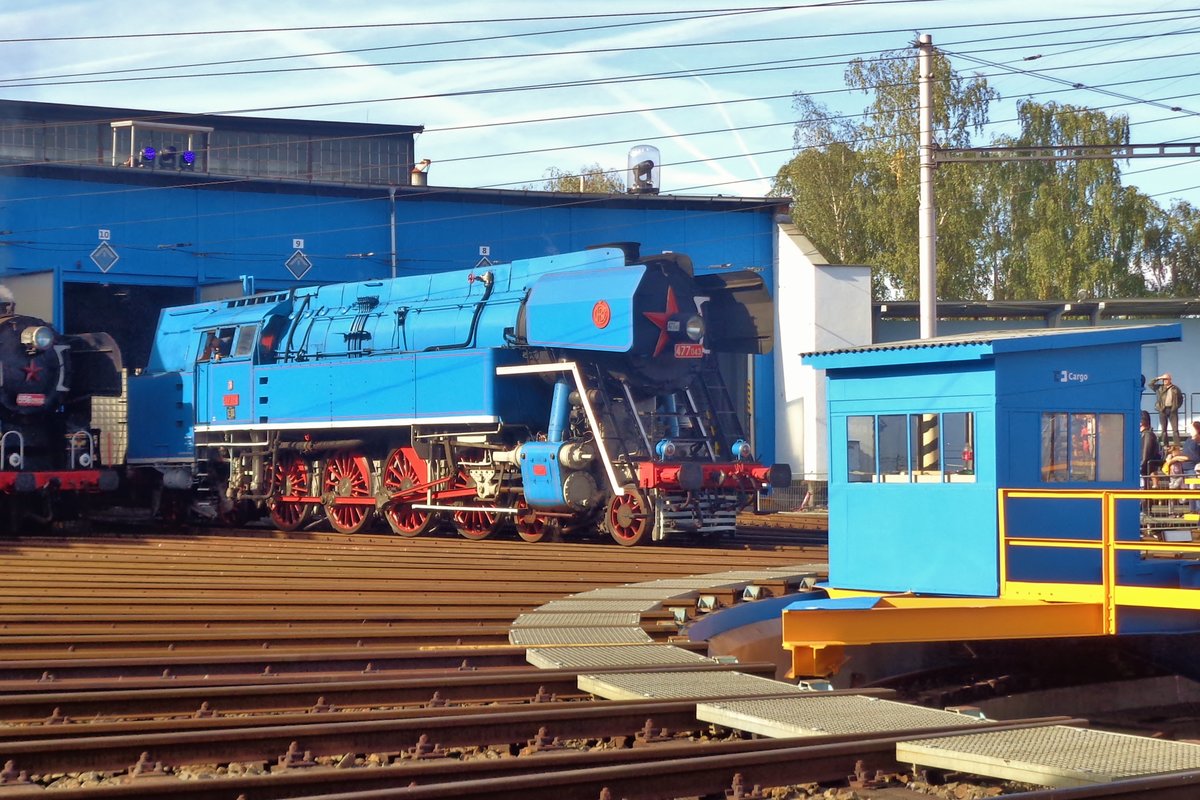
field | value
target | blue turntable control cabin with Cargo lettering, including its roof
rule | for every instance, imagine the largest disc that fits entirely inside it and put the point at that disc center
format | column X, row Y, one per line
column 923, row 434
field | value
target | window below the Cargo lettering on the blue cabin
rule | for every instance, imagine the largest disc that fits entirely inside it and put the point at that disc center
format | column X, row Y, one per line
column 1083, row 448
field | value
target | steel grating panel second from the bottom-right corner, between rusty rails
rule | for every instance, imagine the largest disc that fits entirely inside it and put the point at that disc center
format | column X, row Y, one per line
column 819, row 714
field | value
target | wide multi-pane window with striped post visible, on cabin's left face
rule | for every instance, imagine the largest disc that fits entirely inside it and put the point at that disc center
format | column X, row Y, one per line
column 911, row 448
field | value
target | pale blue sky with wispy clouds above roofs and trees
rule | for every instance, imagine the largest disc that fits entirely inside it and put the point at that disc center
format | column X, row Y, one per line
column 403, row 63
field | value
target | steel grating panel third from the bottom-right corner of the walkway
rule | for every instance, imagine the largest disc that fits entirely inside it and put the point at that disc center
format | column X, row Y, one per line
column 637, row 687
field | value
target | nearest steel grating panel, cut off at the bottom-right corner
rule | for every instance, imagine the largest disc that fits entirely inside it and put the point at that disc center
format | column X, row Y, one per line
column 1057, row 756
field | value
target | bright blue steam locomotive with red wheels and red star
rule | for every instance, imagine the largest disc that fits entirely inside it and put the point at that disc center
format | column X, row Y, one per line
column 550, row 395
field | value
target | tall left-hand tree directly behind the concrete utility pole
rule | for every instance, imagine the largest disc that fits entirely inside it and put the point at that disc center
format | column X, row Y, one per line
column 855, row 183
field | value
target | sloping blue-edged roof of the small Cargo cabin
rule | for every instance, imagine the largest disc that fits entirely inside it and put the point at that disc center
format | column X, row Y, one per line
column 985, row 345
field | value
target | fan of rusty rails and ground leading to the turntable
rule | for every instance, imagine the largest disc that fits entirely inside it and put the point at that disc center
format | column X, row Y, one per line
column 365, row 667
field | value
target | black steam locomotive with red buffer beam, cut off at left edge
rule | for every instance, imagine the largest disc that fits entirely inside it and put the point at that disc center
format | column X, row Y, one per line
column 50, row 453
